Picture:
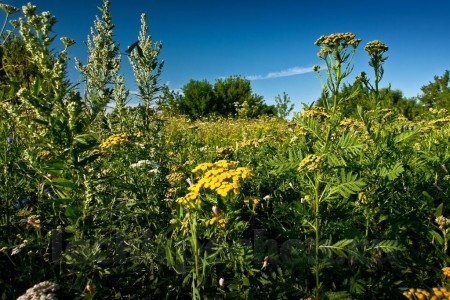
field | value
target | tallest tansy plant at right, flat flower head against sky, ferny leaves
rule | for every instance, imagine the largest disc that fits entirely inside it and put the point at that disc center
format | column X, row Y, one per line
column 326, row 156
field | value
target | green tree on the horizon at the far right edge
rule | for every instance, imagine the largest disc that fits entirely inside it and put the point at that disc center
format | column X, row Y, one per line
column 436, row 93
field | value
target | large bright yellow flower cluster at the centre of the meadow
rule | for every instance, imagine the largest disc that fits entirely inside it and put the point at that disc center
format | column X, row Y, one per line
column 221, row 177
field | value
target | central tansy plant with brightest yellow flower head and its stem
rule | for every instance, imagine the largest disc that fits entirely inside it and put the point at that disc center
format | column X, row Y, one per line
column 210, row 196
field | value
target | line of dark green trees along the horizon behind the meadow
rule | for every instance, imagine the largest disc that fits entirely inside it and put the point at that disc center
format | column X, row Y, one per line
column 233, row 96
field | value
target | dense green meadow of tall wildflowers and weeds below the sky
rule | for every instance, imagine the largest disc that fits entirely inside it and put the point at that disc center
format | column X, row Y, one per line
column 342, row 202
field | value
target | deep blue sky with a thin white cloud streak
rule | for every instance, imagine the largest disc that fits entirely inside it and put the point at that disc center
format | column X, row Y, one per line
column 270, row 42
